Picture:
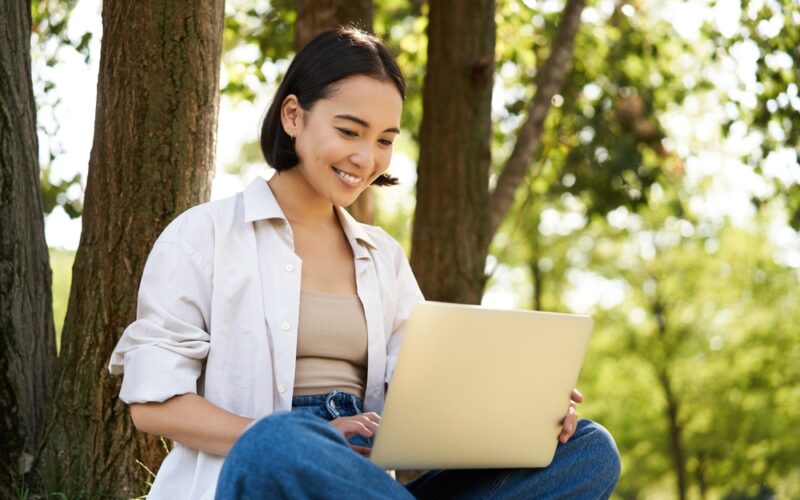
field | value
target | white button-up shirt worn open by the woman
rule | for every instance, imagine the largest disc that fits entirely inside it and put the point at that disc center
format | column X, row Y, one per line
column 217, row 316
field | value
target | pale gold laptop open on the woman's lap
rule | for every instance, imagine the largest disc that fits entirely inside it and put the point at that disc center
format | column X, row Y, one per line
column 480, row 388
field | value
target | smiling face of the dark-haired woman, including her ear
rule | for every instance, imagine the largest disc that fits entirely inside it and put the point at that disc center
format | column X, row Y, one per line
column 344, row 142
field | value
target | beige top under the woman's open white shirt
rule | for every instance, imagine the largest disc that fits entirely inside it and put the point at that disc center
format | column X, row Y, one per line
column 331, row 345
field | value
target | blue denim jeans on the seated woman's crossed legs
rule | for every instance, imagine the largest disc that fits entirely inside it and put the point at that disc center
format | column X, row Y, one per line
column 299, row 454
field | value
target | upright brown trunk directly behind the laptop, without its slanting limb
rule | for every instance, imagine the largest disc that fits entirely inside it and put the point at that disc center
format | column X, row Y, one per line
column 451, row 227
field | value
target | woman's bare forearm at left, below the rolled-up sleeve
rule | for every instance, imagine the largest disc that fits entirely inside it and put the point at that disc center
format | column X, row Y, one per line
column 191, row 421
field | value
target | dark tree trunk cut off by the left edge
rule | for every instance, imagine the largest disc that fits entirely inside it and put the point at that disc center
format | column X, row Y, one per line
column 27, row 340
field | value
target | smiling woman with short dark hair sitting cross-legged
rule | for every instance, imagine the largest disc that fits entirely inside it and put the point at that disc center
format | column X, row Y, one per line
column 276, row 300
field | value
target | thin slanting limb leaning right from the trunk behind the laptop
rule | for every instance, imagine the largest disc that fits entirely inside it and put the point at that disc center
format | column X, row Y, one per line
column 549, row 81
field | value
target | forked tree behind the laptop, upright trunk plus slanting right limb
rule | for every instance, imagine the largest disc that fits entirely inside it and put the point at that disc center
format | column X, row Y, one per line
column 456, row 217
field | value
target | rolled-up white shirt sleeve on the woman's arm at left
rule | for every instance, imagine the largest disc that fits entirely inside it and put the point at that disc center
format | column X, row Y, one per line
column 161, row 354
